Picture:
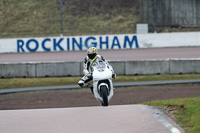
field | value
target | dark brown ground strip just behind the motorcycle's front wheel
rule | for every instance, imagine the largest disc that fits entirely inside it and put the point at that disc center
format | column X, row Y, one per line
column 84, row 98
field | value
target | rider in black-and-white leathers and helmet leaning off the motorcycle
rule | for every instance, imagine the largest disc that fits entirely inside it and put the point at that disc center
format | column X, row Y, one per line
column 90, row 60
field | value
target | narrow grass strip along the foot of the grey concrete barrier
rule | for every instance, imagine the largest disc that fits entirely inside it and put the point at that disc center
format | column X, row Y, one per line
column 33, row 82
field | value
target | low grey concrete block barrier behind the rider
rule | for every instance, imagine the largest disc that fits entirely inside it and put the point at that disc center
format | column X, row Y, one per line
column 63, row 69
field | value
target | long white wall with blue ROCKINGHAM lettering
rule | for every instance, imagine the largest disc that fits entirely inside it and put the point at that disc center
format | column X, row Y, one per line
column 122, row 41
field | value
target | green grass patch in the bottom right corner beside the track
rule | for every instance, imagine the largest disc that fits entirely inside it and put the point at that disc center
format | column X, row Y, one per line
column 187, row 111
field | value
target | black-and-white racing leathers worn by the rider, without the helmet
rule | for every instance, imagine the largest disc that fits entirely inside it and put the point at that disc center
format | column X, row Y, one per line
column 87, row 70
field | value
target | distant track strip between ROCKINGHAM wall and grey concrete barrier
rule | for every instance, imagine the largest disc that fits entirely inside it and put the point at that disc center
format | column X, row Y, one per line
column 129, row 54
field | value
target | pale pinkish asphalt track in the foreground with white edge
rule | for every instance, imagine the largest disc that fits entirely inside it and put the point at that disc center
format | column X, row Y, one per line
column 112, row 119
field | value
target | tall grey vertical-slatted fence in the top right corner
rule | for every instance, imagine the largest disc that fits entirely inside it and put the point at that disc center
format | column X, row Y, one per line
column 170, row 12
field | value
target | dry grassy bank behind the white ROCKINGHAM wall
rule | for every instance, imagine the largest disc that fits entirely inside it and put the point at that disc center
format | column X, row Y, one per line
column 37, row 18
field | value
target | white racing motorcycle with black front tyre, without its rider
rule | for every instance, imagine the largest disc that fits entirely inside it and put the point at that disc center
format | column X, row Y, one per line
column 102, row 83
